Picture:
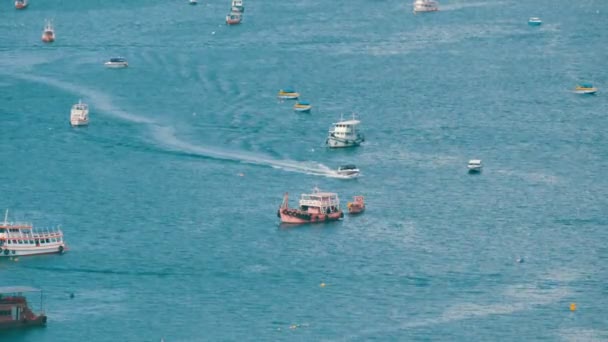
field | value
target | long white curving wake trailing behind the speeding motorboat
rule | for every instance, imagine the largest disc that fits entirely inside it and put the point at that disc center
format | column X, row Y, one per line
column 167, row 137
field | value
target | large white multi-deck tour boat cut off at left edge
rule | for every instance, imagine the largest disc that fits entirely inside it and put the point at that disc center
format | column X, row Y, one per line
column 19, row 239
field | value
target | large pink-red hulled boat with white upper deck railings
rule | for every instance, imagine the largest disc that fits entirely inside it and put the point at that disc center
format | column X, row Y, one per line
column 315, row 207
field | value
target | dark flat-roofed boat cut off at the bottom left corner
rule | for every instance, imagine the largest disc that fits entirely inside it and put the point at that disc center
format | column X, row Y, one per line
column 15, row 311
